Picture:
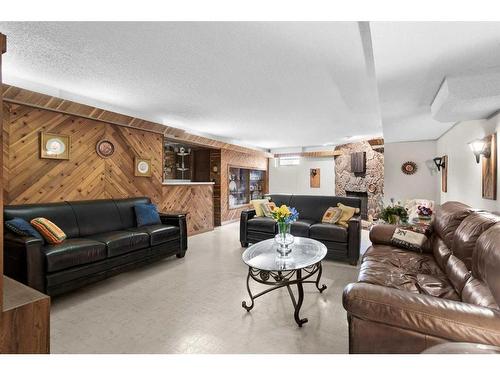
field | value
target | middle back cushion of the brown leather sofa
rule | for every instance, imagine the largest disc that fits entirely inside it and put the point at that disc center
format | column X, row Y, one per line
column 467, row 233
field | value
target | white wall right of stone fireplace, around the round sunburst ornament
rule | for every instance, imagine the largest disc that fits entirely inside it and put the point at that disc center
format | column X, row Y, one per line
column 423, row 184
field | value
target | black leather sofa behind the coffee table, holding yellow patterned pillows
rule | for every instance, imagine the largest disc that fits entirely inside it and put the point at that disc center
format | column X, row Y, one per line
column 342, row 243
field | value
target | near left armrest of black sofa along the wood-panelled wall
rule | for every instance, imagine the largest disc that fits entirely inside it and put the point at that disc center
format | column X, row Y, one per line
column 24, row 260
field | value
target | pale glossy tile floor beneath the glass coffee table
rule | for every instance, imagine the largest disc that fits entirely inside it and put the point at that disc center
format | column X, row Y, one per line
column 193, row 305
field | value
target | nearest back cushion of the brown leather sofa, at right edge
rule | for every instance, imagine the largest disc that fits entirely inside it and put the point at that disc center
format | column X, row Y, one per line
column 486, row 262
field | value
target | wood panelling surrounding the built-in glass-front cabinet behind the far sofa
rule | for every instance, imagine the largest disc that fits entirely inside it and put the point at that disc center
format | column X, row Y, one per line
column 229, row 157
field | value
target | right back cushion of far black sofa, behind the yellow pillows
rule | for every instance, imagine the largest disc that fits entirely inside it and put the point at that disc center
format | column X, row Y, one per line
column 312, row 207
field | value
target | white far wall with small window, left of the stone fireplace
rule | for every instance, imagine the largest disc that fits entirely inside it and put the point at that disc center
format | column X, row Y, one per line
column 294, row 179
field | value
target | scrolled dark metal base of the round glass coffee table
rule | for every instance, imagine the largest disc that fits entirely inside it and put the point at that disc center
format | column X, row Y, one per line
column 280, row 279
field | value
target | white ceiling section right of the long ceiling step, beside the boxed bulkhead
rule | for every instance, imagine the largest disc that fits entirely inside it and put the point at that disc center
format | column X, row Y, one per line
column 411, row 61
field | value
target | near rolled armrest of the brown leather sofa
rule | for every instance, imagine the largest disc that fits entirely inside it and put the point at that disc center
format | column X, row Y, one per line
column 447, row 319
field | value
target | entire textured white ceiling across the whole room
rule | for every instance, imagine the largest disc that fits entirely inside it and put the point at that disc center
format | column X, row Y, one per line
column 266, row 84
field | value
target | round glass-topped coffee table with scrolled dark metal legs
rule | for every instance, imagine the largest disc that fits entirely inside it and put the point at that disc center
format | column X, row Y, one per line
column 266, row 266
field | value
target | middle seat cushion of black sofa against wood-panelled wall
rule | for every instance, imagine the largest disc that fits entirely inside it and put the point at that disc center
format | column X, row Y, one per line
column 121, row 242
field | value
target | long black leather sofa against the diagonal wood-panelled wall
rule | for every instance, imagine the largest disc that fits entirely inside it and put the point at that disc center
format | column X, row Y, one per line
column 102, row 240
